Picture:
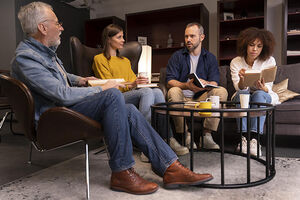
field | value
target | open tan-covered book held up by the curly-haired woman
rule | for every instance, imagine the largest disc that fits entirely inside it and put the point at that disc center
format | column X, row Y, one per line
column 251, row 76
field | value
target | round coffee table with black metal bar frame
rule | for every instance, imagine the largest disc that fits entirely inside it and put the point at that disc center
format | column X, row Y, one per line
column 227, row 110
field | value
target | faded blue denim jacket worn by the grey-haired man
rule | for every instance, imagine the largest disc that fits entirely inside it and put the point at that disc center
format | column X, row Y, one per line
column 35, row 65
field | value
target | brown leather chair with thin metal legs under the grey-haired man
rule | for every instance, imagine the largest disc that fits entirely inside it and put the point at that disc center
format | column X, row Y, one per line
column 57, row 127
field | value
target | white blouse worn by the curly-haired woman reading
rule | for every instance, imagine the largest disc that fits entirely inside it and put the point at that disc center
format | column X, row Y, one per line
column 239, row 62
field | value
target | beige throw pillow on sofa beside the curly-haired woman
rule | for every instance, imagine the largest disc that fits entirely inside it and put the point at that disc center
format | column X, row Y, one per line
column 283, row 93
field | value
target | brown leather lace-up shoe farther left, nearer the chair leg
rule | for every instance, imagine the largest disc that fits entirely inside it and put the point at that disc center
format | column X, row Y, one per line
column 129, row 181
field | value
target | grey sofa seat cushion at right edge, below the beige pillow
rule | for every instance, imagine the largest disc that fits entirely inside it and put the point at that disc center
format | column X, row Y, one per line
column 288, row 112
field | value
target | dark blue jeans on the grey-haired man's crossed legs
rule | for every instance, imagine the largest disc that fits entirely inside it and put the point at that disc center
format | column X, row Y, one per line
column 123, row 125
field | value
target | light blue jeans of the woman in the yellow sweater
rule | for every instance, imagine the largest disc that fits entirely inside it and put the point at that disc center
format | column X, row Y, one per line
column 143, row 98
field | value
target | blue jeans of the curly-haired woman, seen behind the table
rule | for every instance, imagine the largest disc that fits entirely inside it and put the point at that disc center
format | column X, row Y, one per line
column 258, row 96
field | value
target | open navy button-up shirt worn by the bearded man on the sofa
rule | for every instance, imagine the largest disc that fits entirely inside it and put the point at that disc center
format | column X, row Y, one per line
column 179, row 66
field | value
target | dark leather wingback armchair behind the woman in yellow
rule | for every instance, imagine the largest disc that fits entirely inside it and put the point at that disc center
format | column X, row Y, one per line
column 82, row 56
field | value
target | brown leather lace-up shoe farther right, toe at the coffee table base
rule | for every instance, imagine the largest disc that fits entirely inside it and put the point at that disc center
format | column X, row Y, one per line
column 177, row 175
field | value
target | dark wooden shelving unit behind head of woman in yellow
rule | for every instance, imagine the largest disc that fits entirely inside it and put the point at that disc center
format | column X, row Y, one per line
column 94, row 28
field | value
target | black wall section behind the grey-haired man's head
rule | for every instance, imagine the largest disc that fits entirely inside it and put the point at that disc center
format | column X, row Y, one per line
column 73, row 22
